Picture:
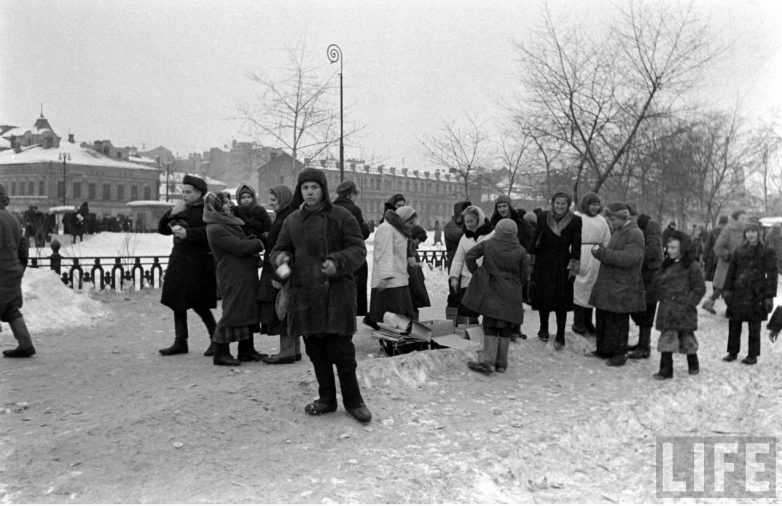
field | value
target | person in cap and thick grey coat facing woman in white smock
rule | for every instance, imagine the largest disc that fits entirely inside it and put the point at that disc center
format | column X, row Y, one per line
column 619, row 289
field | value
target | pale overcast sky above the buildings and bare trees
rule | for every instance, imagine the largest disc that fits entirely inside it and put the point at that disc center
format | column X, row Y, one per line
column 163, row 72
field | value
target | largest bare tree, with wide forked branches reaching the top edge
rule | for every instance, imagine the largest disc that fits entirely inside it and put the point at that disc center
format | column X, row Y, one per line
column 593, row 95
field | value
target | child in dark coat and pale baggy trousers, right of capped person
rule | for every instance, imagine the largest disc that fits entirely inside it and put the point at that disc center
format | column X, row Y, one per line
column 681, row 289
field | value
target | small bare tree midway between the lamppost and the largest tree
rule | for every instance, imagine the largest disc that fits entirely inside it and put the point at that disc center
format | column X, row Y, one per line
column 460, row 149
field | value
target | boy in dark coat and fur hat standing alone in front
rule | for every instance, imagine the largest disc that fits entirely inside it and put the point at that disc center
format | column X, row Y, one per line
column 323, row 245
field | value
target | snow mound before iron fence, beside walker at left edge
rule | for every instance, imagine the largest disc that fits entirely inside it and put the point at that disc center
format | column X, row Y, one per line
column 50, row 305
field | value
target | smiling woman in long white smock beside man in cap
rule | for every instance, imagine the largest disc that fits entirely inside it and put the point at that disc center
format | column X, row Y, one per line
column 594, row 230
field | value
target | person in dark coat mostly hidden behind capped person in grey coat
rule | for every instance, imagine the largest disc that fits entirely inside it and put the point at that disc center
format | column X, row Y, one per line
column 650, row 273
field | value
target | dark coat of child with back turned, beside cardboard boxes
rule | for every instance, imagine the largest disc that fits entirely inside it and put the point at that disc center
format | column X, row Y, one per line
column 496, row 287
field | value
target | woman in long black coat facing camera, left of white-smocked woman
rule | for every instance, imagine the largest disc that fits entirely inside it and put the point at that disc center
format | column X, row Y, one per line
column 557, row 250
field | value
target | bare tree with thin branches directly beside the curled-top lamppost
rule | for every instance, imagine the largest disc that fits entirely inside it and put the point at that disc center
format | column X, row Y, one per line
column 293, row 109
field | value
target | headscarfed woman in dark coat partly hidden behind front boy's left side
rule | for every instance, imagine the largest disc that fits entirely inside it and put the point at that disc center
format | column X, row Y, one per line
column 290, row 346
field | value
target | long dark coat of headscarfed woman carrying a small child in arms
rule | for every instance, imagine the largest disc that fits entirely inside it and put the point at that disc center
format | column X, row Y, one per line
column 237, row 273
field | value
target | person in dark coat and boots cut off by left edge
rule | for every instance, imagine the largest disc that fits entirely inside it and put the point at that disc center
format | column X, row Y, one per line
column 13, row 260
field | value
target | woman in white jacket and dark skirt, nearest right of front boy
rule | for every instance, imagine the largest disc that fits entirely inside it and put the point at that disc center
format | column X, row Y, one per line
column 390, row 292
